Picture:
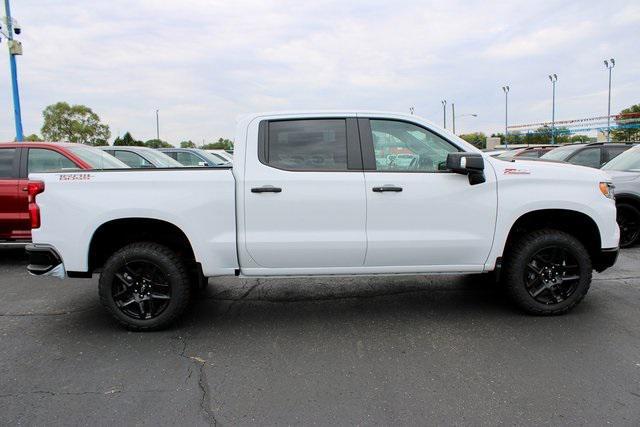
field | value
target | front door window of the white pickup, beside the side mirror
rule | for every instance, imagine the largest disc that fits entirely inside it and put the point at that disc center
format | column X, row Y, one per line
column 401, row 146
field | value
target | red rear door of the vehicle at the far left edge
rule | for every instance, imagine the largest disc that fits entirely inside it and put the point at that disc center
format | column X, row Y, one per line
column 10, row 208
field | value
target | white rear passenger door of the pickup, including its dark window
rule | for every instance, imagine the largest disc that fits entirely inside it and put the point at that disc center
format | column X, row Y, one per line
column 304, row 196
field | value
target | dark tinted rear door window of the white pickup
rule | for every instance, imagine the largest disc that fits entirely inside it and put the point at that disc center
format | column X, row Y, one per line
column 308, row 145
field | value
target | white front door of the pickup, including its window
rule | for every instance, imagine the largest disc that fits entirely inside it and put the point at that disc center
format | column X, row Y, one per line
column 421, row 217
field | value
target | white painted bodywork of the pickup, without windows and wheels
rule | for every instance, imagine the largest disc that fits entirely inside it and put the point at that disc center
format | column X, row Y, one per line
column 324, row 222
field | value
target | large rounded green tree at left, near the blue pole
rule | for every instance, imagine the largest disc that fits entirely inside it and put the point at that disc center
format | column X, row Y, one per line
column 74, row 123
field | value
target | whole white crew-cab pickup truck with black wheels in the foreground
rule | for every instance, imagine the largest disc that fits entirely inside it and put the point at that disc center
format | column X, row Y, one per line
column 326, row 193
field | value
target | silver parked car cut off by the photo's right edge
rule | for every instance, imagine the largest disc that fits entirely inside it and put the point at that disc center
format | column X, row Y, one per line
column 625, row 172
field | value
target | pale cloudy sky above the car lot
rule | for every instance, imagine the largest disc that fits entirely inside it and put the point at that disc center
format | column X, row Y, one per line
column 202, row 63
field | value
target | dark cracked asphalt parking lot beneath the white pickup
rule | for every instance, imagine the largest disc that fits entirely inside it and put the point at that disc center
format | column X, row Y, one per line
column 409, row 350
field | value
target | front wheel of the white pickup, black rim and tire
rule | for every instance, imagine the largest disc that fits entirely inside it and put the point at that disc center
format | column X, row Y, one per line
column 547, row 272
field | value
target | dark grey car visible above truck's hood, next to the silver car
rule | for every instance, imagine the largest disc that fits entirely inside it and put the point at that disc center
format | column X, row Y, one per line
column 593, row 155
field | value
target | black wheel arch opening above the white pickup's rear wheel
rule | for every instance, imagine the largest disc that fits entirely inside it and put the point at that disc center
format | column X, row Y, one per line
column 114, row 234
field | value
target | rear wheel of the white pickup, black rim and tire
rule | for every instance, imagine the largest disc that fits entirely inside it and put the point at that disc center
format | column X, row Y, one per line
column 145, row 286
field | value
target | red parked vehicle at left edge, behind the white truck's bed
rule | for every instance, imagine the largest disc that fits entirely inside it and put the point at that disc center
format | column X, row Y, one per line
column 18, row 160
